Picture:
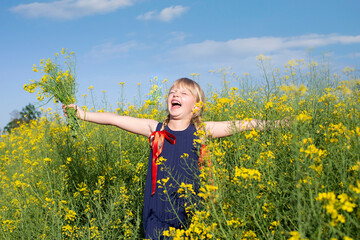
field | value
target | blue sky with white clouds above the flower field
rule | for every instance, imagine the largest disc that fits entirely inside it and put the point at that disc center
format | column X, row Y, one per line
column 133, row 41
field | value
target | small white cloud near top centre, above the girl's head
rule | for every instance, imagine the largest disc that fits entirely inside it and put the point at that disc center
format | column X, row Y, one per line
column 166, row 15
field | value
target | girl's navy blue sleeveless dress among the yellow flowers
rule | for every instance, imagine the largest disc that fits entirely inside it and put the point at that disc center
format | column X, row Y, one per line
column 164, row 210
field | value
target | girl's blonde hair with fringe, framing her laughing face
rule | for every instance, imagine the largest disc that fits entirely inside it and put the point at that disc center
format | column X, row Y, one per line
column 199, row 95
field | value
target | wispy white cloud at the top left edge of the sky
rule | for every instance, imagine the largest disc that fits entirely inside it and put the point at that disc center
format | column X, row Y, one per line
column 69, row 9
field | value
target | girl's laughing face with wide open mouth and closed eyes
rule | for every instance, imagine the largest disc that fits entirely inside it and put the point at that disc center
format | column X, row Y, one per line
column 181, row 103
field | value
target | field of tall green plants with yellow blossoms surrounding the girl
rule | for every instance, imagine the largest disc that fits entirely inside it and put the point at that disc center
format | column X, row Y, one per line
column 294, row 182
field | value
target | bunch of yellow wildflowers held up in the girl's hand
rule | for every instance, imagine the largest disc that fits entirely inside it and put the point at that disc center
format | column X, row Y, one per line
column 57, row 84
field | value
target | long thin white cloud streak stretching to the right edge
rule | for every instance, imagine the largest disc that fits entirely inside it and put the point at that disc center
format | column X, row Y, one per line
column 243, row 47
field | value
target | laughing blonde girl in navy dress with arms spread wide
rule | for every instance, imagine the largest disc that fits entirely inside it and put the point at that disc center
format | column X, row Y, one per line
column 173, row 142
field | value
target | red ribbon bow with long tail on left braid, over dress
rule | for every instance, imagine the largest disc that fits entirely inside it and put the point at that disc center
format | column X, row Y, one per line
column 154, row 143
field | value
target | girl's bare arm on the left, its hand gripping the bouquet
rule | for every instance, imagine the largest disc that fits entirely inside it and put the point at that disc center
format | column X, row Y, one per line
column 135, row 125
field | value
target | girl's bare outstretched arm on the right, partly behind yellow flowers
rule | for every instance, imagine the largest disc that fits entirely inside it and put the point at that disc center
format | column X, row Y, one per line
column 227, row 128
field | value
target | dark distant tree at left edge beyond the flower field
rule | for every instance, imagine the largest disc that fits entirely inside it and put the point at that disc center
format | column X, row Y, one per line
column 27, row 114
